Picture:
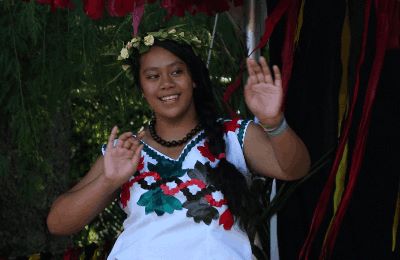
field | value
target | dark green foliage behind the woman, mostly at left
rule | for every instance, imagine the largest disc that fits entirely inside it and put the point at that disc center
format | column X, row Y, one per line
column 61, row 91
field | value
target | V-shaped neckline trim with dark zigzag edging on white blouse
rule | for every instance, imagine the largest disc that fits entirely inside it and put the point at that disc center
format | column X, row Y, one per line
column 156, row 154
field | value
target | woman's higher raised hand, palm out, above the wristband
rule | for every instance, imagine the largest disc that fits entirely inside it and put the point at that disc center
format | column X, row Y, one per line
column 263, row 92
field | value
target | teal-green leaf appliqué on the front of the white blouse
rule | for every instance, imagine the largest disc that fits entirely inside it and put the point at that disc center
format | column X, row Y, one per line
column 158, row 202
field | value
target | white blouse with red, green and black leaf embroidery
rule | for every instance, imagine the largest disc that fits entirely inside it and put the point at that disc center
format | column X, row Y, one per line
column 173, row 212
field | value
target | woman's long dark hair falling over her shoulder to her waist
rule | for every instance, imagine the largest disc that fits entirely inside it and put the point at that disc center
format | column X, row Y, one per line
column 244, row 201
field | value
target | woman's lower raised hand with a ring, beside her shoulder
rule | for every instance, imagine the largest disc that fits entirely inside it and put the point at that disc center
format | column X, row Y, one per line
column 121, row 160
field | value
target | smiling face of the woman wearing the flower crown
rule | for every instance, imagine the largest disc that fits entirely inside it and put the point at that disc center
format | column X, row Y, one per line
column 166, row 84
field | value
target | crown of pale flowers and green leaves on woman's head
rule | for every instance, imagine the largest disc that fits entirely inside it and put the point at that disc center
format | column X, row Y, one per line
column 139, row 45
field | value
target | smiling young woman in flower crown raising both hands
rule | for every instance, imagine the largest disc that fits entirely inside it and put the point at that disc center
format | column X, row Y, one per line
column 185, row 179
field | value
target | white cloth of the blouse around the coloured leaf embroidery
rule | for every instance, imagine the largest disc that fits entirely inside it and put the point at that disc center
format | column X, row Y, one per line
column 175, row 235
